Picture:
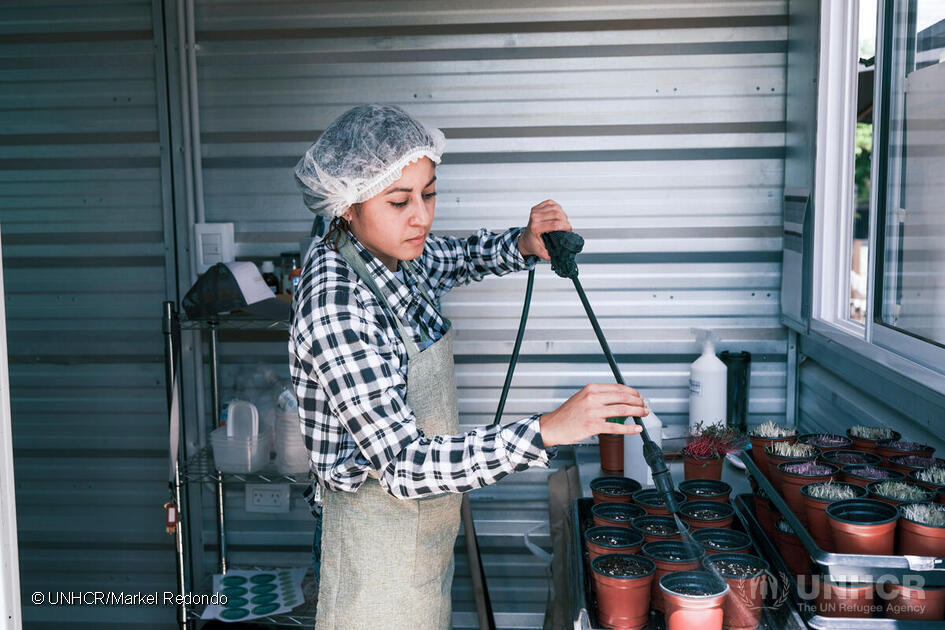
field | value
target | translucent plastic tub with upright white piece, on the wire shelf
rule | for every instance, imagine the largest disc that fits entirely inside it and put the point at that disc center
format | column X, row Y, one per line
column 239, row 447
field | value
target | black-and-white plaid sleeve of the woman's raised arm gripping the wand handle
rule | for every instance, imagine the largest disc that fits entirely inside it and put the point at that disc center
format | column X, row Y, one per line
column 450, row 261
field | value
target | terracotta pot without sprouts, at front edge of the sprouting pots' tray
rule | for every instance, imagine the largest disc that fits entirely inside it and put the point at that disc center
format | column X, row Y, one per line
column 863, row 526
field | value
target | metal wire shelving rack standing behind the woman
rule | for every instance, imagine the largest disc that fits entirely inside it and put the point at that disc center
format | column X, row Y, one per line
column 199, row 467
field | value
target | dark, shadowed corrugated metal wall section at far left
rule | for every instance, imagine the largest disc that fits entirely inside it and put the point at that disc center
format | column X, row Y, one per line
column 85, row 221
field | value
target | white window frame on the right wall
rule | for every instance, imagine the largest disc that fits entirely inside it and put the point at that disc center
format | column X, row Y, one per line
column 919, row 361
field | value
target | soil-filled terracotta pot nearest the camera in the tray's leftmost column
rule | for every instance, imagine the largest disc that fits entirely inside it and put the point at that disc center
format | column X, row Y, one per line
column 623, row 602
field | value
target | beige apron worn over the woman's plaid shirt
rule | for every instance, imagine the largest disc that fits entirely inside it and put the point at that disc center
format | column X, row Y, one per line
column 387, row 563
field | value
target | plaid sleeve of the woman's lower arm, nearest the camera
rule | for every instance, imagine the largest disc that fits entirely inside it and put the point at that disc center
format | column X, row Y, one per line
column 351, row 359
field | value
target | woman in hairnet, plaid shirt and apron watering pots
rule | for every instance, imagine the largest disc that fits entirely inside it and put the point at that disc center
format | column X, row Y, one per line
column 372, row 364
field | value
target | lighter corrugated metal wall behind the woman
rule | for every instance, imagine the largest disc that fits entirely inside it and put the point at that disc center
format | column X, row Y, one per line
column 658, row 126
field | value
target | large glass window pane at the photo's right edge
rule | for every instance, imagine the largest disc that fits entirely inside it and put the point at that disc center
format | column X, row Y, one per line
column 912, row 245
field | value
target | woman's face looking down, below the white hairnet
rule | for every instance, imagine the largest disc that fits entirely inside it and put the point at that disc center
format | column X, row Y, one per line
column 394, row 224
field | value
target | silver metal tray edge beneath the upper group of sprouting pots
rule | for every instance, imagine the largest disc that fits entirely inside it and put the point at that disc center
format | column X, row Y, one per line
column 852, row 567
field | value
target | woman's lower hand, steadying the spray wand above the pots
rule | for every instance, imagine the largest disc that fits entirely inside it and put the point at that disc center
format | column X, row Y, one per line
column 585, row 414
